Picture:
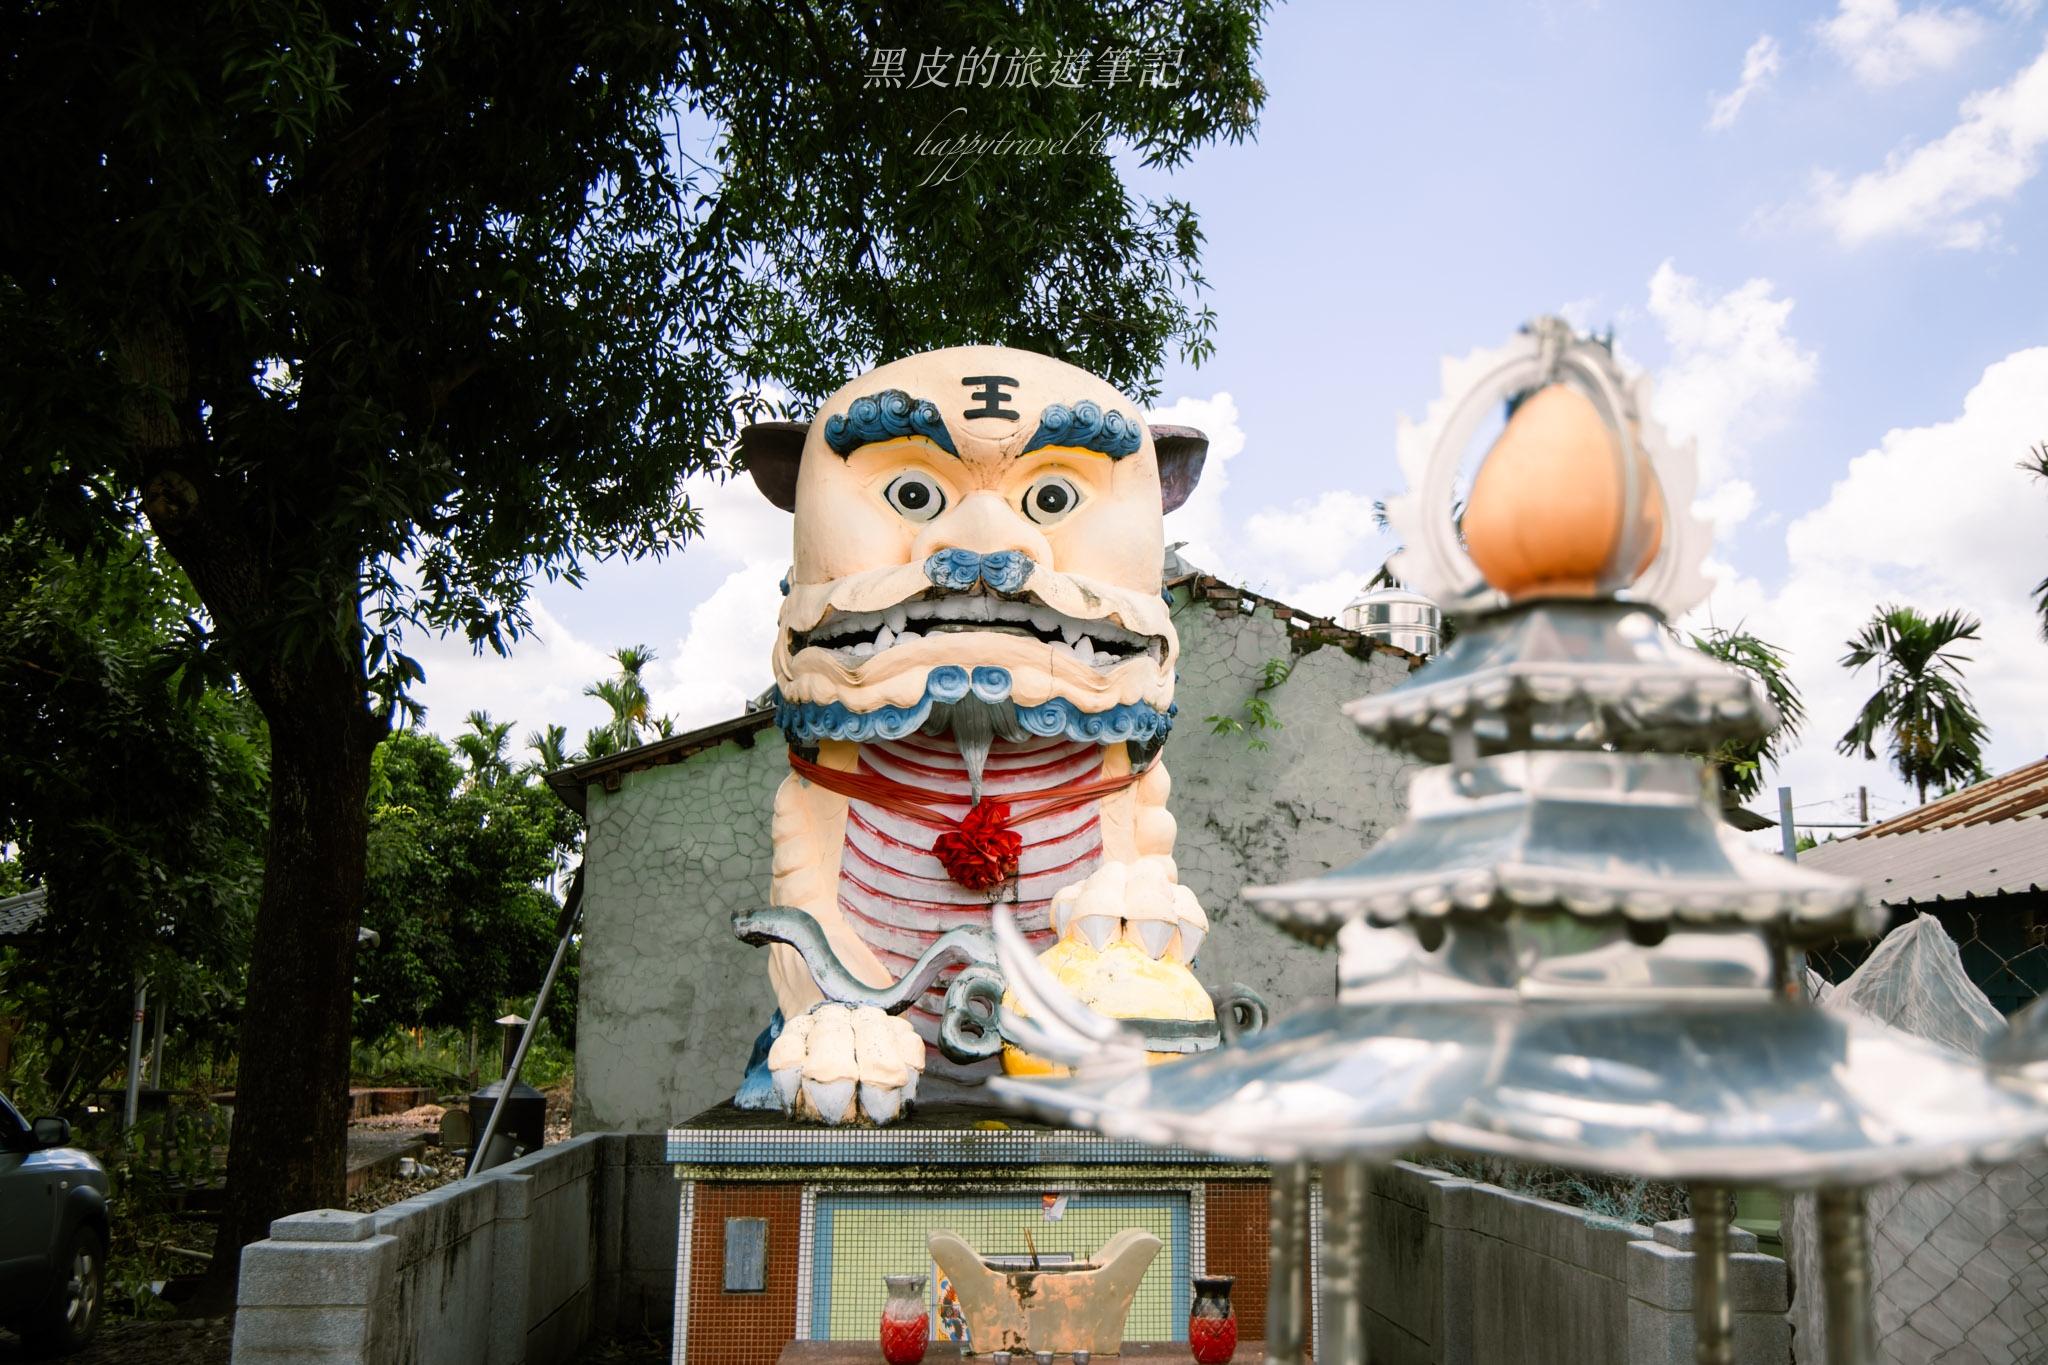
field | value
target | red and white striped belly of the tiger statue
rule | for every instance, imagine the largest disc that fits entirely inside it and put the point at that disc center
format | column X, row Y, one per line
column 898, row 895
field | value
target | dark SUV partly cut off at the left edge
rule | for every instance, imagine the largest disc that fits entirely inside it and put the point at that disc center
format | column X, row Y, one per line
column 52, row 1235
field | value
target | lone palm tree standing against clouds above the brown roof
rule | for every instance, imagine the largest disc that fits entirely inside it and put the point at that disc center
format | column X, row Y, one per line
column 1936, row 736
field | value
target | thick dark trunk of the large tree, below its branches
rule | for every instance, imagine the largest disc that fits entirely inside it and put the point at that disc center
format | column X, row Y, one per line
column 290, row 1143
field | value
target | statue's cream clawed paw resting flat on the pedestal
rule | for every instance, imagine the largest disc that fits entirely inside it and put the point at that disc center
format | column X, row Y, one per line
column 828, row 1059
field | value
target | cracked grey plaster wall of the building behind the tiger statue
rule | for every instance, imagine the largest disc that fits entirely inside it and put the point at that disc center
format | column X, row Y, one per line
column 671, row 1002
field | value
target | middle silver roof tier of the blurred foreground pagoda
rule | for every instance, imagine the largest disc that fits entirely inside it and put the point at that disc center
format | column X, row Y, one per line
column 1598, row 836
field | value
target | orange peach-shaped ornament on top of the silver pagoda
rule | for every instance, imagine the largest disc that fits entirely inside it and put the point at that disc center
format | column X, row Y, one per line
column 1553, row 511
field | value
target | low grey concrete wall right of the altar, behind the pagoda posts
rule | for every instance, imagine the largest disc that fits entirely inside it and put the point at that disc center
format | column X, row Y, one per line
column 1467, row 1274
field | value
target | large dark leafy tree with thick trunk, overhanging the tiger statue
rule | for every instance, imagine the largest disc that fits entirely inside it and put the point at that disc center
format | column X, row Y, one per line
column 380, row 310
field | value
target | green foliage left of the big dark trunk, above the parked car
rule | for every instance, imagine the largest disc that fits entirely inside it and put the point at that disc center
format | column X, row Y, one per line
column 134, row 795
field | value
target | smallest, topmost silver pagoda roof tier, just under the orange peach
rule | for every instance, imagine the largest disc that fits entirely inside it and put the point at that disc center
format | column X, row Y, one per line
column 1564, row 674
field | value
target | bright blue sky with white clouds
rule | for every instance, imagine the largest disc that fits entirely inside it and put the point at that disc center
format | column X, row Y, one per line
column 1838, row 281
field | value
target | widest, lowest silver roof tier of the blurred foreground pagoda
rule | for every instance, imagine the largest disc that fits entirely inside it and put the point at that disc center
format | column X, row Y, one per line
column 1781, row 1094
